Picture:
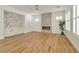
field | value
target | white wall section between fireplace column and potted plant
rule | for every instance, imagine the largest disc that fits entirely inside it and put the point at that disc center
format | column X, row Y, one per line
column 55, row 23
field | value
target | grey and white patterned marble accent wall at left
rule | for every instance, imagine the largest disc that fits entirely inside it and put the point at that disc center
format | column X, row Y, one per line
column 13, row 23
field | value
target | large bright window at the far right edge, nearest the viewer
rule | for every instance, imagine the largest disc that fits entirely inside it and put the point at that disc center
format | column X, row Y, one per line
column 76, row 19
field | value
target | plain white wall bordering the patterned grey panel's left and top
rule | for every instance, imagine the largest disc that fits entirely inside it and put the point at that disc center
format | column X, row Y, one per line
column 2, row 9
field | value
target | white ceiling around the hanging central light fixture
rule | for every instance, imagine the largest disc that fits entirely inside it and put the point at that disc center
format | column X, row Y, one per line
column 42, row 8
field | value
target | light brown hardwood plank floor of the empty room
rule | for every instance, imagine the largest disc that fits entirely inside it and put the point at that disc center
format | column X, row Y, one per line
column 36, row 42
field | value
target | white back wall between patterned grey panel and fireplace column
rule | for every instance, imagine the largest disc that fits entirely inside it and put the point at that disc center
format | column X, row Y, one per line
column 31, row 24
